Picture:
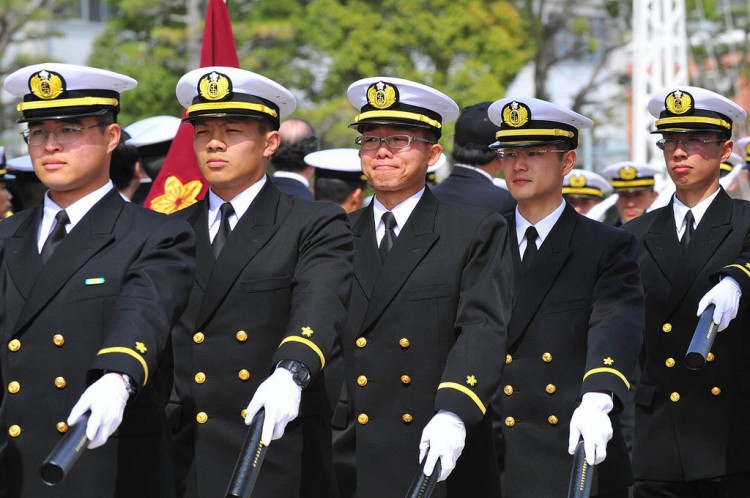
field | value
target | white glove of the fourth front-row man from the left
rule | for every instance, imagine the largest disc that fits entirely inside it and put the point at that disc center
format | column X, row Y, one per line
column 591, row 421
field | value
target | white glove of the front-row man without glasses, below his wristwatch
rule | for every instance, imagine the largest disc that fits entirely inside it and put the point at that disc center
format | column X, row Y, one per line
column 281, row 396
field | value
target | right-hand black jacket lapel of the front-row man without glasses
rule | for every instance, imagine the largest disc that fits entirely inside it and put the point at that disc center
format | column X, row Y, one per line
column 252, row 232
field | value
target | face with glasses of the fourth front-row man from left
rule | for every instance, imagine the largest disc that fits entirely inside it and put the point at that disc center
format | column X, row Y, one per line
column 535, row 174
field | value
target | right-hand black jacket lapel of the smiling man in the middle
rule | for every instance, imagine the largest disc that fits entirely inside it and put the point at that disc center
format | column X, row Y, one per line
column 412, row 245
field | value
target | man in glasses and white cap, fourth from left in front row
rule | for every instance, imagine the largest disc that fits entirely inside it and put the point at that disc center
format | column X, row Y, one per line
column 575, row 330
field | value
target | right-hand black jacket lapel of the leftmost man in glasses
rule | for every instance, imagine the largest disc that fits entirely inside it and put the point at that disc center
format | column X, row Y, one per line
column 90, row 235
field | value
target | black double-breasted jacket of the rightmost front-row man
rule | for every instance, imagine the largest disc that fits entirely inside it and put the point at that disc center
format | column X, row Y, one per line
column 692, row 424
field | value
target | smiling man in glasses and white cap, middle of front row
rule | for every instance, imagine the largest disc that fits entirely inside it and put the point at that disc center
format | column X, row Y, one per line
column 428, row 307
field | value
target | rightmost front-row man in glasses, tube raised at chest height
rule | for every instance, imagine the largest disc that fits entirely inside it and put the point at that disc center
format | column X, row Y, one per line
column 691, row 432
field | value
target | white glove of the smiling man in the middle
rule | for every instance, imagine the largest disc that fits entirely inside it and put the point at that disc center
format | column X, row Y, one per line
column 444, row 436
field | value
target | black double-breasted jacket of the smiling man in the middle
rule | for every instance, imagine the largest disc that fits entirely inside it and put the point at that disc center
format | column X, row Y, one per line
column 426, row 332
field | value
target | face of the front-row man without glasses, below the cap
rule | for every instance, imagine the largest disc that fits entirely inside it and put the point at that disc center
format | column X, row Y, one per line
column 232, row 153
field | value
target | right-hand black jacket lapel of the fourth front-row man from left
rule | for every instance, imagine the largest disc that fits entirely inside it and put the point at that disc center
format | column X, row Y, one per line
column 552, row 255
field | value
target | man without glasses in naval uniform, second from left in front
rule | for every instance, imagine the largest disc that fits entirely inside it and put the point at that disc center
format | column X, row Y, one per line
column 273, row 272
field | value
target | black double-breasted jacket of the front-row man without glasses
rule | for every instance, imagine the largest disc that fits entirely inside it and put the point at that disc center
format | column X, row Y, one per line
column 277, row 291
